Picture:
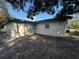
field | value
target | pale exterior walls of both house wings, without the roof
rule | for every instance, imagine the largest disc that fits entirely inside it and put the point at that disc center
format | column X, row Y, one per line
column 56, row 28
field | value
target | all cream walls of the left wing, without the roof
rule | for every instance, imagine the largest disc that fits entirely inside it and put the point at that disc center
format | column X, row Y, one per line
column 18, row 29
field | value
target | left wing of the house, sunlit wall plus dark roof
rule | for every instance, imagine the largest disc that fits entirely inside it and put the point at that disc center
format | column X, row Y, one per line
column 16, row 28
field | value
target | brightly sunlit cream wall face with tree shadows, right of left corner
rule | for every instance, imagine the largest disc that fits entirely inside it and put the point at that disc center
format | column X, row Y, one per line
column 21, row 29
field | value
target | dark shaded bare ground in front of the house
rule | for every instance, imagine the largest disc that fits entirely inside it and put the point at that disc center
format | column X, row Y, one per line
column 42, row 47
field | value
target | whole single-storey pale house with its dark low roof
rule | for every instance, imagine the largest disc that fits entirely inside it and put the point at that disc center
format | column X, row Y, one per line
column 50, row 27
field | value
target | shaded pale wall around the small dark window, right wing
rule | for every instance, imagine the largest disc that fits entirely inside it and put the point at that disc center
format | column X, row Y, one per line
column 55, row 28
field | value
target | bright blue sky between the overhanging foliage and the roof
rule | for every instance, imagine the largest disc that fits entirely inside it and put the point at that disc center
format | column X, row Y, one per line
column 41, row 16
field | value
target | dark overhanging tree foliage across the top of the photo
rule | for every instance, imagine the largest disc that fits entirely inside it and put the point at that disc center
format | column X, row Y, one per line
column 69, row 6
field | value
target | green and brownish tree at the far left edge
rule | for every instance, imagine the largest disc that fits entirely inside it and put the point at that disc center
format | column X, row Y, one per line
column 4, row 15
